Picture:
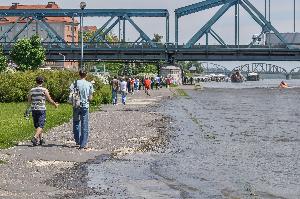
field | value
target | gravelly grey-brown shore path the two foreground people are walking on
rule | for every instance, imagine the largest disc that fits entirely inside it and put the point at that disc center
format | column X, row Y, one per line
column 52, row 171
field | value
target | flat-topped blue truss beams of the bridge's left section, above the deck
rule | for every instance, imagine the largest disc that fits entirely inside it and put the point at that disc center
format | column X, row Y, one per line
column 40, row 15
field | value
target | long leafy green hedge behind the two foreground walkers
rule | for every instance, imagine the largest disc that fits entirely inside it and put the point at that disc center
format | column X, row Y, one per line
column 15, row 86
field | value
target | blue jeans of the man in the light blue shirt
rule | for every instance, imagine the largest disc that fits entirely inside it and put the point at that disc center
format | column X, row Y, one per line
column 81, row 126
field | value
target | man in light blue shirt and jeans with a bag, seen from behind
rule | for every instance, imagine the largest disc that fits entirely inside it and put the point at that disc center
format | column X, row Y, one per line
column 81, row 114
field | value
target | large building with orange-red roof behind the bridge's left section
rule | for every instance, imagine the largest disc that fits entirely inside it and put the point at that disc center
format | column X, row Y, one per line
column 62, row 25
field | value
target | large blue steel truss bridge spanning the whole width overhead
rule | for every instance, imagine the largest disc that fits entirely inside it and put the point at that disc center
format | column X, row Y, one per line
column 143, row 49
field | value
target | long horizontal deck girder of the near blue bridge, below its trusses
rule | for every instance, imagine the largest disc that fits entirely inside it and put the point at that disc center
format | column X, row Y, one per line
column 166, row 52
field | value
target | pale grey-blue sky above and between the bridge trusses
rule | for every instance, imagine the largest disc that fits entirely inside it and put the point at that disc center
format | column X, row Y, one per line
column 281, row 18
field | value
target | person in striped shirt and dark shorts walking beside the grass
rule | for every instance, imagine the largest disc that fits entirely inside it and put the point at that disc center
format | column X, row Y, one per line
column 37, row 101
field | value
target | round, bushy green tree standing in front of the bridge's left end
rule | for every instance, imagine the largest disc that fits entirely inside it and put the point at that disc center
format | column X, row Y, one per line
column 28, row 54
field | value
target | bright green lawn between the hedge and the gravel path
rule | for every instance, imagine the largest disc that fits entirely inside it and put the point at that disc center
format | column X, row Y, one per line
column 15, row 128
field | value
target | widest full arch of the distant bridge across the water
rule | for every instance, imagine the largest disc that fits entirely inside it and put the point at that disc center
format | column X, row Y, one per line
column 261, row 68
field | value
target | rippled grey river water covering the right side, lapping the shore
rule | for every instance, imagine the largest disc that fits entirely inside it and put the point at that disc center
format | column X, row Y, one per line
column 225, row 143
